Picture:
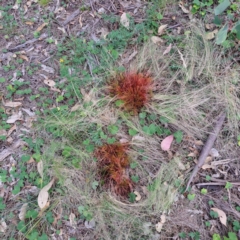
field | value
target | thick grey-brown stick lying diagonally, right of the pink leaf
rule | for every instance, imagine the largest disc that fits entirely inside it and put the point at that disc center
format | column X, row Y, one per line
column 207, row 147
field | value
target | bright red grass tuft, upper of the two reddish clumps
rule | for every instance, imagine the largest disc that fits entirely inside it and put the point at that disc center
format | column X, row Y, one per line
column 134, row 89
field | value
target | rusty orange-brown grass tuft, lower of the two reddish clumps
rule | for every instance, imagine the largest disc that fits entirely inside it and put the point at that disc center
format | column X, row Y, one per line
column 112, row 163
